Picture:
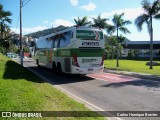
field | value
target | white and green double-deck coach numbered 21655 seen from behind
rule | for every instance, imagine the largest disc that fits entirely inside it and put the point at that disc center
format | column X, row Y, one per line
column 73, row 50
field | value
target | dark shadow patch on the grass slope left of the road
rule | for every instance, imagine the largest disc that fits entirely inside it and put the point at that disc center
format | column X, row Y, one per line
column 14, row 71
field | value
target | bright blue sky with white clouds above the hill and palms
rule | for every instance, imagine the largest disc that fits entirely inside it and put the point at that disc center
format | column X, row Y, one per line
column 43, row 14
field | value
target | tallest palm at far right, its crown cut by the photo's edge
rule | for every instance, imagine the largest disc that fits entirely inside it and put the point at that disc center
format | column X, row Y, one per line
column 151, row 12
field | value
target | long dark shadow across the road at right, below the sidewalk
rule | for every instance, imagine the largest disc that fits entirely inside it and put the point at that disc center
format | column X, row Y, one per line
column 145, row 83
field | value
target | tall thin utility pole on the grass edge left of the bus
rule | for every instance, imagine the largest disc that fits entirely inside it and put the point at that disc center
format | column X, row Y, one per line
column 21, row 47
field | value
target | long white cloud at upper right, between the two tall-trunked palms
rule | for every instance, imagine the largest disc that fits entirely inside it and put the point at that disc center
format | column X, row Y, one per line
column 129, row 13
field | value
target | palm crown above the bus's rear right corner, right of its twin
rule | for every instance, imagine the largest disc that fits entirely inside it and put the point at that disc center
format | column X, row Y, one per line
column 100, row 22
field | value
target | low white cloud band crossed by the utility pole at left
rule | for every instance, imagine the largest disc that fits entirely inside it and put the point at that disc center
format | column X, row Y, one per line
column 29, row 30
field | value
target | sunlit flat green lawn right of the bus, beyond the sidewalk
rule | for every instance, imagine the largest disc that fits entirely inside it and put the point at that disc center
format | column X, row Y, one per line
column 132, row 66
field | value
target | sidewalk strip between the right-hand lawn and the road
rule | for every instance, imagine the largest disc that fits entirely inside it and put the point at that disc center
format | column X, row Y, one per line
column 134, row 74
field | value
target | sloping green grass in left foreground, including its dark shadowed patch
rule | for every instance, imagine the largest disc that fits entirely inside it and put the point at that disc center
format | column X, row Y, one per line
column 21, row 90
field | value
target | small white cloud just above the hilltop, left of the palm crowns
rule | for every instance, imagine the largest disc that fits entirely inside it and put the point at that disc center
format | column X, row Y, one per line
column 63, row 22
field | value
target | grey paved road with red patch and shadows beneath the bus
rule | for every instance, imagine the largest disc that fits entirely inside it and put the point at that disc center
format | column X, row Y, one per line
column 107, row 91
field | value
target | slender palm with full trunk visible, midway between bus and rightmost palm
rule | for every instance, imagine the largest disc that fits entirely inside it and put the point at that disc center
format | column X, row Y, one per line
column 119, row 24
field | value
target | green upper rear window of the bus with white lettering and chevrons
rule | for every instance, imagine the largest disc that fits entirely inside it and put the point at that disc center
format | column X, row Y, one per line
column 89, row 35
